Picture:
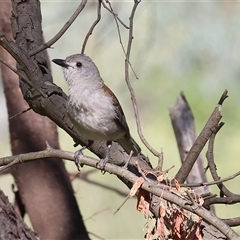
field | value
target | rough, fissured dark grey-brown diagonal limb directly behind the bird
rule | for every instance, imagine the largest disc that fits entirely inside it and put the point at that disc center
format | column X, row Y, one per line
column 41, row 94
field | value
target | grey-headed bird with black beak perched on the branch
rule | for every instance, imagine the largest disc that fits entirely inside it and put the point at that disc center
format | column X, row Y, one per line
column 93, row 108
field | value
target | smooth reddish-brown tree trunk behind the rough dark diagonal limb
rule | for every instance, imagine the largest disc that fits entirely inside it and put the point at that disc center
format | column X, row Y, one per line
column 44, row 186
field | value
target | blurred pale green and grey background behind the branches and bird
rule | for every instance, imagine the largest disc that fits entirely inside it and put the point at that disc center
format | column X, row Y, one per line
column 178, row 46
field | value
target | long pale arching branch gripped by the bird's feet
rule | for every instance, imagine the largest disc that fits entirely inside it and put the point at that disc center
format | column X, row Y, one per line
column 157, row 189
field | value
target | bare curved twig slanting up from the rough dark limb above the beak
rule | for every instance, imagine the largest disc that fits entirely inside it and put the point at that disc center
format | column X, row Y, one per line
column 61, row 32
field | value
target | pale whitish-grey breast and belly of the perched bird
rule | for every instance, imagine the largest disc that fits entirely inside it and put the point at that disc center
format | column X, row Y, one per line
column 94, row 115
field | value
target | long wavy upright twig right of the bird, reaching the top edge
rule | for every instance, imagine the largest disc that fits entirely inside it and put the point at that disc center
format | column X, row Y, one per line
column 134, row 102
